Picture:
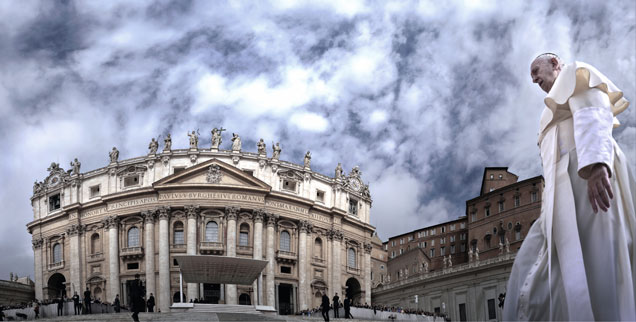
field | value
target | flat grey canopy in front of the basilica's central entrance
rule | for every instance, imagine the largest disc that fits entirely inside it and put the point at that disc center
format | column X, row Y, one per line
column 219, row 269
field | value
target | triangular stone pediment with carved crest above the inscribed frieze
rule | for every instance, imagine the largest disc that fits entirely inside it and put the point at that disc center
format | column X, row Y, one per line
column 213, row 172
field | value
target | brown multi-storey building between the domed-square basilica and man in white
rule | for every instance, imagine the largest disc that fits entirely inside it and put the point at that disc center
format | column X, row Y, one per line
column 463, row 265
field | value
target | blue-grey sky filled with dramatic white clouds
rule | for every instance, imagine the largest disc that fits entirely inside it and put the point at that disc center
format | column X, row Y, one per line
column 421, row 95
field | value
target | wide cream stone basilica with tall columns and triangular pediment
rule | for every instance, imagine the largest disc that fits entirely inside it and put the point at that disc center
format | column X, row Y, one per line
column 97, row 229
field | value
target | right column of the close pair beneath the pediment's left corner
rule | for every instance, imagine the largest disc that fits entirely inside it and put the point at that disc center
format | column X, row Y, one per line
column 164, row 259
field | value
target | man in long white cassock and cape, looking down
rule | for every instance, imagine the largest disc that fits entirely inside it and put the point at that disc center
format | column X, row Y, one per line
column 578, row 261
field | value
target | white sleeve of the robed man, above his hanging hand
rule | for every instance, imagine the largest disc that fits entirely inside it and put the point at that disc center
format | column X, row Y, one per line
column 593, row 122
